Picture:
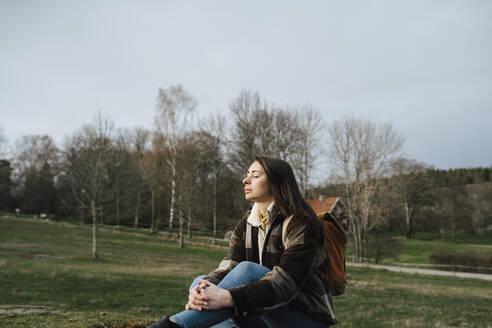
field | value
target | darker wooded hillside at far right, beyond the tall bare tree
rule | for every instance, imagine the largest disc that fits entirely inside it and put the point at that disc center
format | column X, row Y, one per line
column 416, row 197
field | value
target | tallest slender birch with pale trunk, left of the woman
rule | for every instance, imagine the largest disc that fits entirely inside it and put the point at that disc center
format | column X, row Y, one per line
column 174, row 109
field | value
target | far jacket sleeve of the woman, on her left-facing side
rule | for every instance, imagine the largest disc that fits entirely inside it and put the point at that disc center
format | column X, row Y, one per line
column 237, row 253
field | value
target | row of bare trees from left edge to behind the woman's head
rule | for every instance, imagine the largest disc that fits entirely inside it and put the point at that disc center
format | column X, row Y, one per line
column 184, row 173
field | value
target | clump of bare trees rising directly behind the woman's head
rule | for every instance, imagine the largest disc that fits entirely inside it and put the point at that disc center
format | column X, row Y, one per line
column 261, row 128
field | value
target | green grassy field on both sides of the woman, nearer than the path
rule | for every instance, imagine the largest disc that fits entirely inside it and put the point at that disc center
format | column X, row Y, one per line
column 141, row 276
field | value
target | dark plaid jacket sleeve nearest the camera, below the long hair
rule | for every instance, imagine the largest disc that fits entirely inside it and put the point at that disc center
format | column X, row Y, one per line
column 280, row 286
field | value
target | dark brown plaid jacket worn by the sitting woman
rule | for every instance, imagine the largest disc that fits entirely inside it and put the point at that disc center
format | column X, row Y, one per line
column 295, row 261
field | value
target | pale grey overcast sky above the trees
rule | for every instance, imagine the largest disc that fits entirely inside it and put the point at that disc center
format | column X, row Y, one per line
column 425, row 65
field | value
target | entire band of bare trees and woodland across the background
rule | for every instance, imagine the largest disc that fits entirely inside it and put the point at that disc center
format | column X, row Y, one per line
column 186, row 172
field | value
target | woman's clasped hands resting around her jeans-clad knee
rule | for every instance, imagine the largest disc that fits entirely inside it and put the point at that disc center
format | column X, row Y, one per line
column 208, row 296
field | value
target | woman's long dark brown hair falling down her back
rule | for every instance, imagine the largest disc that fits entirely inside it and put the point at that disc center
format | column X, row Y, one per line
column 287, row 195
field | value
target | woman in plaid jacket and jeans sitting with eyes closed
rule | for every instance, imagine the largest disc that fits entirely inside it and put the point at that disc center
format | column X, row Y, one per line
column 271, row 276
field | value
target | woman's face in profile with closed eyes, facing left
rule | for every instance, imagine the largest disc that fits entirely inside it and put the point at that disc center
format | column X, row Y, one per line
column 256, row 187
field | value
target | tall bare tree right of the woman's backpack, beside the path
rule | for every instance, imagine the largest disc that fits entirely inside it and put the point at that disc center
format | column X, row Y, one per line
column 360, row 152
